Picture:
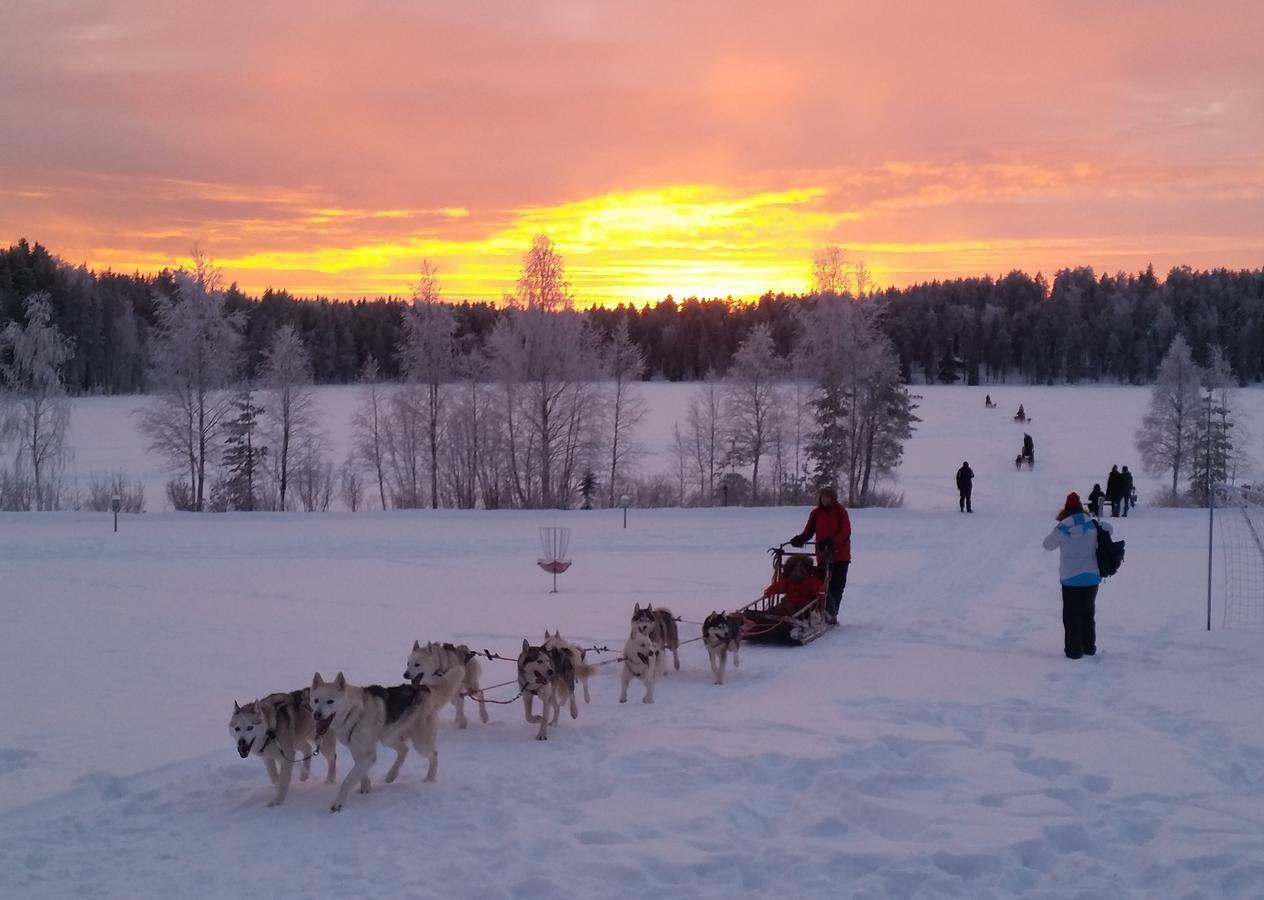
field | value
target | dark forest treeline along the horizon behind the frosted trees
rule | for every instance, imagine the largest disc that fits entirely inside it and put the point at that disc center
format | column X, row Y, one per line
column 970, row 331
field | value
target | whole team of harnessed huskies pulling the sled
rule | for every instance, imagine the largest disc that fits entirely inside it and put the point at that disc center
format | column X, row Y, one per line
column 288, row 730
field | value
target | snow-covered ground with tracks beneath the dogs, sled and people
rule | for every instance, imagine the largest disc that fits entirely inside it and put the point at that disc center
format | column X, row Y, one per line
column 937, row 745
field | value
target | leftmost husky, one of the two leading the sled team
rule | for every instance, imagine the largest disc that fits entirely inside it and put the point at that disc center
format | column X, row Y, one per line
column 279, row 729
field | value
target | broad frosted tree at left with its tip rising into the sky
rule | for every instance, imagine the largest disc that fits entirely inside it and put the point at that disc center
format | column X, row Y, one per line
column 195, row 362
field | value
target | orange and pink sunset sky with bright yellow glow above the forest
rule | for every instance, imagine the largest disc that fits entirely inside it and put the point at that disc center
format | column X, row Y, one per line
column 668, row 147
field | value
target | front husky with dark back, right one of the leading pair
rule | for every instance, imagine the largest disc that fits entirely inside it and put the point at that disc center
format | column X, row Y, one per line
column 365, row 717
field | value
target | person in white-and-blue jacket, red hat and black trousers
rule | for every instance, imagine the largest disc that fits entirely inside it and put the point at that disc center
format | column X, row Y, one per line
column 1076, row 539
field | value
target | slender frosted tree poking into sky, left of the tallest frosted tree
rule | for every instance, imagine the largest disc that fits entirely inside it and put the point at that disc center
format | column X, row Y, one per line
column 428, row 356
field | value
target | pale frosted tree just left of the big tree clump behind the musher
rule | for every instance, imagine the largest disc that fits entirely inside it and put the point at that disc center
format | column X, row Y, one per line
column 753, row 399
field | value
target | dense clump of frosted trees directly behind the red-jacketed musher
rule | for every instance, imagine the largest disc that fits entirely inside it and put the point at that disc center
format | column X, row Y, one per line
column 864, row 415
